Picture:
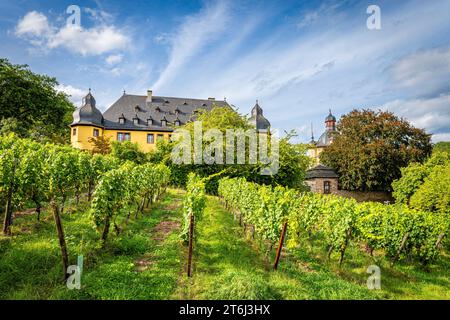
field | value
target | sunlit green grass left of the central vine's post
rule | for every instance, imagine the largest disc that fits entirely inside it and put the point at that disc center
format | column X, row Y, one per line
column 31, row 268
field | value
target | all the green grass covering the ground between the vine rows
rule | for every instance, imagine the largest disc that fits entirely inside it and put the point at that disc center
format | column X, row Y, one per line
column 143, row 263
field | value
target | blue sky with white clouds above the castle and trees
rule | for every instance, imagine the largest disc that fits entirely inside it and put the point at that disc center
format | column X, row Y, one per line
column 298, row 58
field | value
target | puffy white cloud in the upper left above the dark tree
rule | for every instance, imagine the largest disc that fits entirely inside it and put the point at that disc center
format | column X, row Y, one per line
column 92, row 41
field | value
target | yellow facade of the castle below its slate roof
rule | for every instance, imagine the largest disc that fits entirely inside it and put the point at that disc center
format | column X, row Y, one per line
column 80, row 135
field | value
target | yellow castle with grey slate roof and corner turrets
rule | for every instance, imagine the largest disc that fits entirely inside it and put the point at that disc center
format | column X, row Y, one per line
column 143, row 119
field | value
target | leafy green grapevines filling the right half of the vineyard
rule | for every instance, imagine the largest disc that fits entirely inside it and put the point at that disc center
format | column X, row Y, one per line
column 397, row 230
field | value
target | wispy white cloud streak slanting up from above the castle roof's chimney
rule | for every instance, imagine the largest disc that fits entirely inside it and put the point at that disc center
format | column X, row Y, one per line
column 194, row 34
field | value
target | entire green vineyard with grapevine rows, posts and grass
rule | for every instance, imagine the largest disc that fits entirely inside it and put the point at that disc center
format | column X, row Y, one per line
column 141, row 239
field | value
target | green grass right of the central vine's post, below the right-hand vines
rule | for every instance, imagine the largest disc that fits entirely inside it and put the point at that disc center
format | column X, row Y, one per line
column 228, row 265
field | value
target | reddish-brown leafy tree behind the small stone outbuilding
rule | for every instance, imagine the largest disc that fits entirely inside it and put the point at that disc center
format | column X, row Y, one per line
column 370, row 147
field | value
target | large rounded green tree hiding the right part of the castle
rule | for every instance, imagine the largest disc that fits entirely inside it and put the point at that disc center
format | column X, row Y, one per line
column 293, row 161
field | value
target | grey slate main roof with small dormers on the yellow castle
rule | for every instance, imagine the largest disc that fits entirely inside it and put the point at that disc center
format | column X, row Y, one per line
column 136, row 106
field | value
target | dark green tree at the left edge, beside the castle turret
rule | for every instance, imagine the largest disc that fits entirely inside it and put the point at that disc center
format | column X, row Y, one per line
column 30, row 105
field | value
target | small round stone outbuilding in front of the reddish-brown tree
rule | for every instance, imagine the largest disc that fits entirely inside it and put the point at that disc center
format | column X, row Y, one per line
column 322, row 179
